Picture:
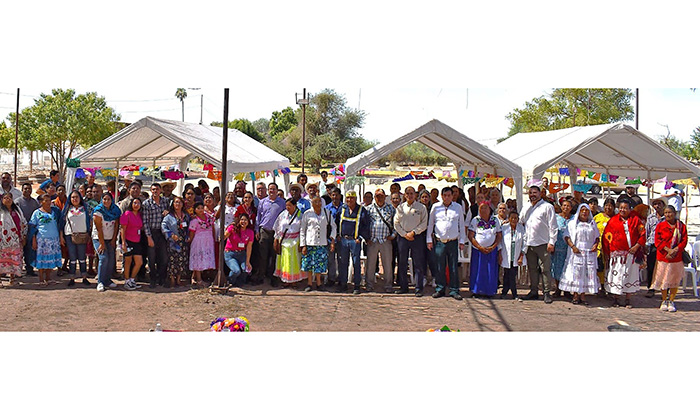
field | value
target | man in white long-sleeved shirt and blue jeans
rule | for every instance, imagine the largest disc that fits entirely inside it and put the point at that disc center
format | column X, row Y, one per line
column 446, row 236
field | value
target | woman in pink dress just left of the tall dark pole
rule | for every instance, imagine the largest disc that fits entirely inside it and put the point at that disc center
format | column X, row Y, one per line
column 201, row 244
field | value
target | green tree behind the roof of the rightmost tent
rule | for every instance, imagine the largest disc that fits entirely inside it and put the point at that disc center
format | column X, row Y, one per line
column 565, row 108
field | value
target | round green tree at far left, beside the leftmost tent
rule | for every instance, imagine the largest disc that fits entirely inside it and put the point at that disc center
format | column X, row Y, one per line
column 61, row 121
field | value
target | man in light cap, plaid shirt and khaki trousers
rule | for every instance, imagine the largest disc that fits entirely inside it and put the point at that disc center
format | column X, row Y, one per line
column 382, row 233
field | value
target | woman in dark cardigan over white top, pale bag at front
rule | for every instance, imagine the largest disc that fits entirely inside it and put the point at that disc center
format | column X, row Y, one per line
column 76, row 219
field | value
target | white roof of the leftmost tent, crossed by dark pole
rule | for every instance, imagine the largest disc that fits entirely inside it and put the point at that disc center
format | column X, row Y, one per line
column 152, row 141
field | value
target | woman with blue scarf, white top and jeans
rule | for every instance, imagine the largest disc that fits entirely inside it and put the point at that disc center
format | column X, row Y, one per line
column 104, row 239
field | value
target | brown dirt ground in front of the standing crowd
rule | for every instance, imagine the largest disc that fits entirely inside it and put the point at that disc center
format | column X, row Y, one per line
column 82, row 308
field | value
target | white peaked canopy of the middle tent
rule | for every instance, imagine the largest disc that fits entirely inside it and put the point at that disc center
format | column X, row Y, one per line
column 465, row 153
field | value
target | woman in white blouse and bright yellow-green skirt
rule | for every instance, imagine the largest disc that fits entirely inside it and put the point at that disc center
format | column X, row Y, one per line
column 287, row 228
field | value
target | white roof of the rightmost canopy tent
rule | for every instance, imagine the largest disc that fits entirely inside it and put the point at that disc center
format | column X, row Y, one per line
column 617, row 149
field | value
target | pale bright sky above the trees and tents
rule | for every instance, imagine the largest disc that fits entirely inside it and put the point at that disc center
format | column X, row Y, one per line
column 479, row 113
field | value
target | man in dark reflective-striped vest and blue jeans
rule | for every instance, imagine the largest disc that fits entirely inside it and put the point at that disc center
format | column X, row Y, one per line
column 353, row 227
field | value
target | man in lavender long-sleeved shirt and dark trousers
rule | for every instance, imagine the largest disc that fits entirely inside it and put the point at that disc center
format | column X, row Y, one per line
column 270, row 207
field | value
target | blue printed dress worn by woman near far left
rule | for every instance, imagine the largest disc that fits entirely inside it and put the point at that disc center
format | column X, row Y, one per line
column 48, row 252
